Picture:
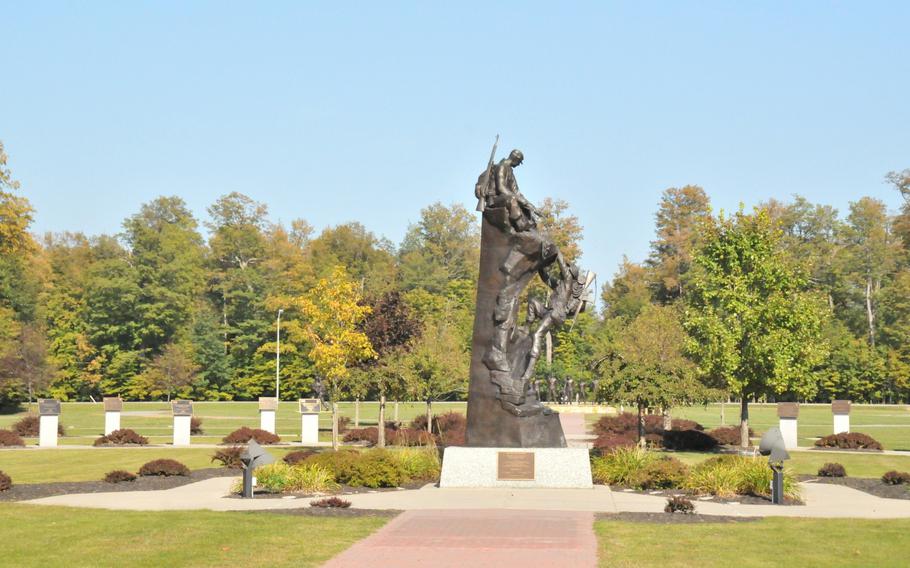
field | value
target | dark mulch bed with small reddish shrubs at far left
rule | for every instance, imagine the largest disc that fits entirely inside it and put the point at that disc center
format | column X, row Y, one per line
column 26, row 491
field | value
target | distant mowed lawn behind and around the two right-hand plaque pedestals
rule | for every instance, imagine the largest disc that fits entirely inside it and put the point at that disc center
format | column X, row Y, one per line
column 889, row 424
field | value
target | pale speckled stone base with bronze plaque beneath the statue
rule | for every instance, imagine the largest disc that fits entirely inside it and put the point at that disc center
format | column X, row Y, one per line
column 516, row 467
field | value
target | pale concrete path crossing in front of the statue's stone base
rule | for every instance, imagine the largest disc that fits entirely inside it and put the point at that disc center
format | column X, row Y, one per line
column 822, row 501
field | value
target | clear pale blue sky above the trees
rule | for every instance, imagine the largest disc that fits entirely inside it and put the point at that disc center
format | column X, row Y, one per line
column 369, row 111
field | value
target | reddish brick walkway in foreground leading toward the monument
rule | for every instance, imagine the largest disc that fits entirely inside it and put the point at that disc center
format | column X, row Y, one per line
column 478, row 538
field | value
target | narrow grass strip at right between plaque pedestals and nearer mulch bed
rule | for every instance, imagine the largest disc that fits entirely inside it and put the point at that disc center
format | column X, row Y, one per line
column 808, row 462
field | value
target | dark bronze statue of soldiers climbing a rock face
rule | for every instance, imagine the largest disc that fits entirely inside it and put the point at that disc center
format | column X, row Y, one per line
column 504, row 408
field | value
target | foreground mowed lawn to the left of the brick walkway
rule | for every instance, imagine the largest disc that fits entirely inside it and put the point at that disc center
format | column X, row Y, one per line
column 60, row 536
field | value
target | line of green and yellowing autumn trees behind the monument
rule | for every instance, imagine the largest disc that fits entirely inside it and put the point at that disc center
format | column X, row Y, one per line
column 789, row 301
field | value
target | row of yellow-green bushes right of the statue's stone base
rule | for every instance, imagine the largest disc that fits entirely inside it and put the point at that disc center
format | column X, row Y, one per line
column 723, row 476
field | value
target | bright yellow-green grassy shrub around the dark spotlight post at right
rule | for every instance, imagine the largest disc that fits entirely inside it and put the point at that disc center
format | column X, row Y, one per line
column 726, row 476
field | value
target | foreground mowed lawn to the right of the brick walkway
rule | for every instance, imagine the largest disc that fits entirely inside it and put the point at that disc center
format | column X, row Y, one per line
column 768, row 542
